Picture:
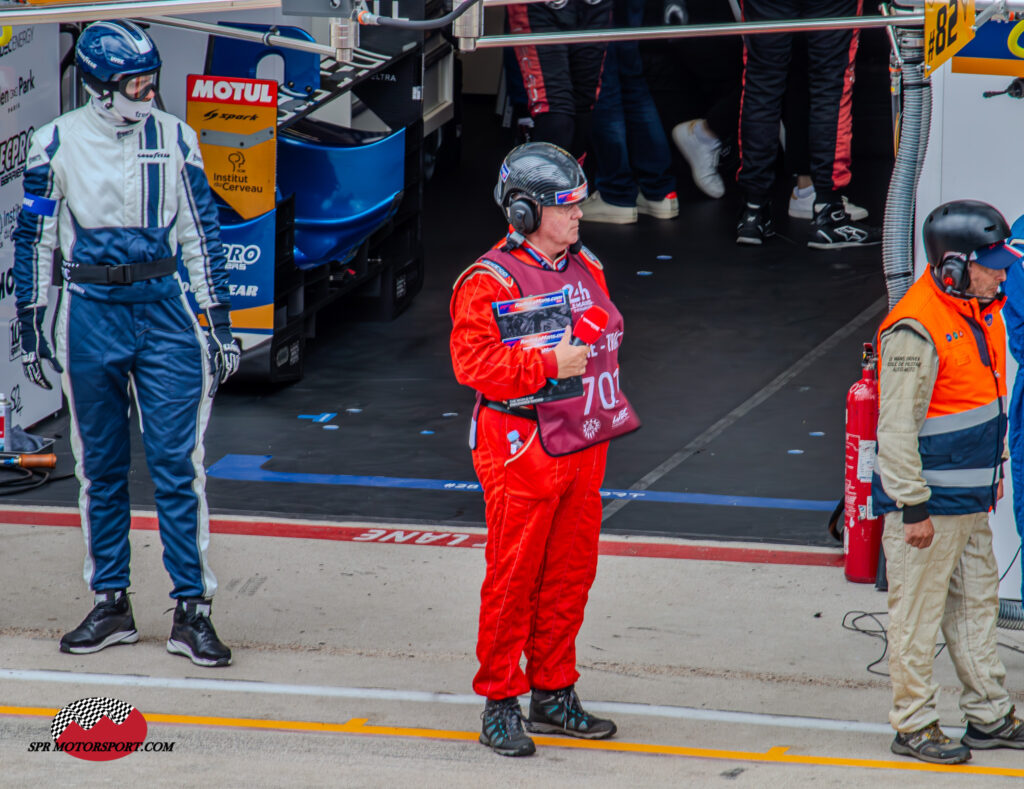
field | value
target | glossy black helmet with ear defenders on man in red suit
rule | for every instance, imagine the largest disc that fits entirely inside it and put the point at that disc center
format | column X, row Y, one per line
column 535, row 176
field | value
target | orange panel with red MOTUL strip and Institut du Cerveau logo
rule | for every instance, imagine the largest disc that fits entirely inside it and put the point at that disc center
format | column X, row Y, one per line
column 237, row 123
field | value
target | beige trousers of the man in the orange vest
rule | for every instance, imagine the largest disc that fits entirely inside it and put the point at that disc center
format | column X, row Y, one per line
column 953, row 585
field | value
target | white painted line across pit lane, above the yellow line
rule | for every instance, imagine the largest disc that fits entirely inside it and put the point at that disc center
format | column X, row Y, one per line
column 374, row 694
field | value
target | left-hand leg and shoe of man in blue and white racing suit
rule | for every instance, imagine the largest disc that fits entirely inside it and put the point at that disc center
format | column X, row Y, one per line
column 97, row 347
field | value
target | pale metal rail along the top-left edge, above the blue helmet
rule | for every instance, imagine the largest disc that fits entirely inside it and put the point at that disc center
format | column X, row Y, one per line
column 38, row 15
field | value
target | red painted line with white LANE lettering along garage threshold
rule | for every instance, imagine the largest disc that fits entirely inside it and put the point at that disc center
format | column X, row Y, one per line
column 446, row 539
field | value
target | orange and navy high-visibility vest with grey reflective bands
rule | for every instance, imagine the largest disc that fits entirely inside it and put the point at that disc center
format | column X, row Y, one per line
column 962, row 441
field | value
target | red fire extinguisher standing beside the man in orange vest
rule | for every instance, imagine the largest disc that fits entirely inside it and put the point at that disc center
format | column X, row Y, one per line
column 863, row 533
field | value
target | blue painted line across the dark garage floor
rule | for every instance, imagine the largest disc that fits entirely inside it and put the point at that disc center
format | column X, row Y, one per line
column 249, row 468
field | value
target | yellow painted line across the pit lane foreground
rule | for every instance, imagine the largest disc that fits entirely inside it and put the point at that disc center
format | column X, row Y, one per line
column 776, row 756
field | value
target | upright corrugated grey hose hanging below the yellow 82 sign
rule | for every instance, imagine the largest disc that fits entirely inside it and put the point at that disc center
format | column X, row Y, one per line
column 898, row 231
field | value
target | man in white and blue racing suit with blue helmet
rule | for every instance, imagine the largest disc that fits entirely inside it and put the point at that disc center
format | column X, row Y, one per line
column 120, row 187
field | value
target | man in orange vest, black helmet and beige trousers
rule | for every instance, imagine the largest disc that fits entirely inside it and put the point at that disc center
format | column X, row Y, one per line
column 943, row 424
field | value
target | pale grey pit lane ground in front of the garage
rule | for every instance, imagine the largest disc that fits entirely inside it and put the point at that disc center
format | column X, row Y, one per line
column 326, row 633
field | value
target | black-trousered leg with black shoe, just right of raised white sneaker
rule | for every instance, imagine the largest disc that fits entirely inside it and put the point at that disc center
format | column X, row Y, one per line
column 766, row 61
